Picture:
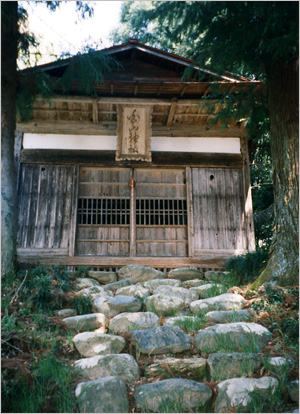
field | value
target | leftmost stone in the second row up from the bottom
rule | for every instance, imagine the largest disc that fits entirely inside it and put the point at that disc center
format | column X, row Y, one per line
column 119, row 365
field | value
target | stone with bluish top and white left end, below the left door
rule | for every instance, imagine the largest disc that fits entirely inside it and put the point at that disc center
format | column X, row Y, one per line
column 118, row 304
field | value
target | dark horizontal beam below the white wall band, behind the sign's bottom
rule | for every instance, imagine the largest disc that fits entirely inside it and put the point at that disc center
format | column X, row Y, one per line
column 107, row 158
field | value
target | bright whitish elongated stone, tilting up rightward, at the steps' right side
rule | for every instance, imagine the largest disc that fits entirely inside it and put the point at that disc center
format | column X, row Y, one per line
column 226, row 301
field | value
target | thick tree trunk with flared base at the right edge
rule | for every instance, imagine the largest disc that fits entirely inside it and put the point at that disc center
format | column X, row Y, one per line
column 283, row 98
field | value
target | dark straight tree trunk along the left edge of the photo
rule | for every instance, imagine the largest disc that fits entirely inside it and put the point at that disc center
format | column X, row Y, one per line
column 9, row 36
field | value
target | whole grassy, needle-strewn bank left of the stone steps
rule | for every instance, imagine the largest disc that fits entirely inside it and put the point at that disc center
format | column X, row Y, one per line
column 36, row 375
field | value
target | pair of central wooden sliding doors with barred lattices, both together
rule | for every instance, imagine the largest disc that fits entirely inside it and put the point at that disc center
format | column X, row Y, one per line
column 117, row 218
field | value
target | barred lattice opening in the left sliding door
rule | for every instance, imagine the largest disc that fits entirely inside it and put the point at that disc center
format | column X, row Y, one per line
column 103, row 211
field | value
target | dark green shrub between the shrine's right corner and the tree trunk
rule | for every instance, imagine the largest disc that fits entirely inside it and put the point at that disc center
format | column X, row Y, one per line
column 248, row 266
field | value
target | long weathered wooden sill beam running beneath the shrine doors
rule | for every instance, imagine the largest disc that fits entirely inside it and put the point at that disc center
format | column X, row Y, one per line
column 110, row 261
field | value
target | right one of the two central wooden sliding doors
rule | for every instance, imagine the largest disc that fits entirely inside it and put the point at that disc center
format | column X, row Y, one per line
column 161, row 213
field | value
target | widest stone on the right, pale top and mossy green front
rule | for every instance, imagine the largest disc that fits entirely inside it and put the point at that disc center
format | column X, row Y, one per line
column 233, row 337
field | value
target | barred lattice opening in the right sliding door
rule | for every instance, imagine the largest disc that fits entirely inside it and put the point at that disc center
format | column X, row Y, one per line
column 157, row 212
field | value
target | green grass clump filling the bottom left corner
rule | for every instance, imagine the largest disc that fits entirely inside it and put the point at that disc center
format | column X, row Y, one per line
column 49, row 389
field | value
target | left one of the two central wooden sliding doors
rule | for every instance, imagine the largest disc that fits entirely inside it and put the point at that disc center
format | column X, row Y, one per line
column 103, row 213
